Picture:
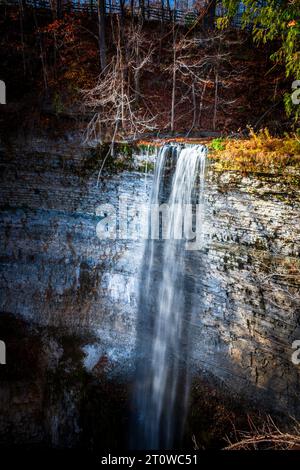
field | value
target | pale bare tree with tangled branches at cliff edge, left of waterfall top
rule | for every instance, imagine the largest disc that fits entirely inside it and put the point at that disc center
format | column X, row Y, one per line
column 113, row 99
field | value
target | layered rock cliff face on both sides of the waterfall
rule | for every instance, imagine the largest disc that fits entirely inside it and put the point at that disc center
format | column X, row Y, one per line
column 244, row 284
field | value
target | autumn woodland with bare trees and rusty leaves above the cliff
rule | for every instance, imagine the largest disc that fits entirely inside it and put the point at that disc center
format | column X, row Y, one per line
column 134, row 67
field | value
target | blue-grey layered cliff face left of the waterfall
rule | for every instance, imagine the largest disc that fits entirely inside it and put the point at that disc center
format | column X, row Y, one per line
column 56, row 270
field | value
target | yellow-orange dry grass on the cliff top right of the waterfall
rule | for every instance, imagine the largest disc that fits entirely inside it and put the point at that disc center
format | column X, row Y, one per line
column 259, row 153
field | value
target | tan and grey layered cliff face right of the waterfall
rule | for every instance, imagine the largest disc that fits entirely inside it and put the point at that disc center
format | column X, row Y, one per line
column 249, row 313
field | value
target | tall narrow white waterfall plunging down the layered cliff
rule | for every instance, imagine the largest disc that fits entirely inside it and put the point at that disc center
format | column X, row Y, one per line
column 162, row 384
